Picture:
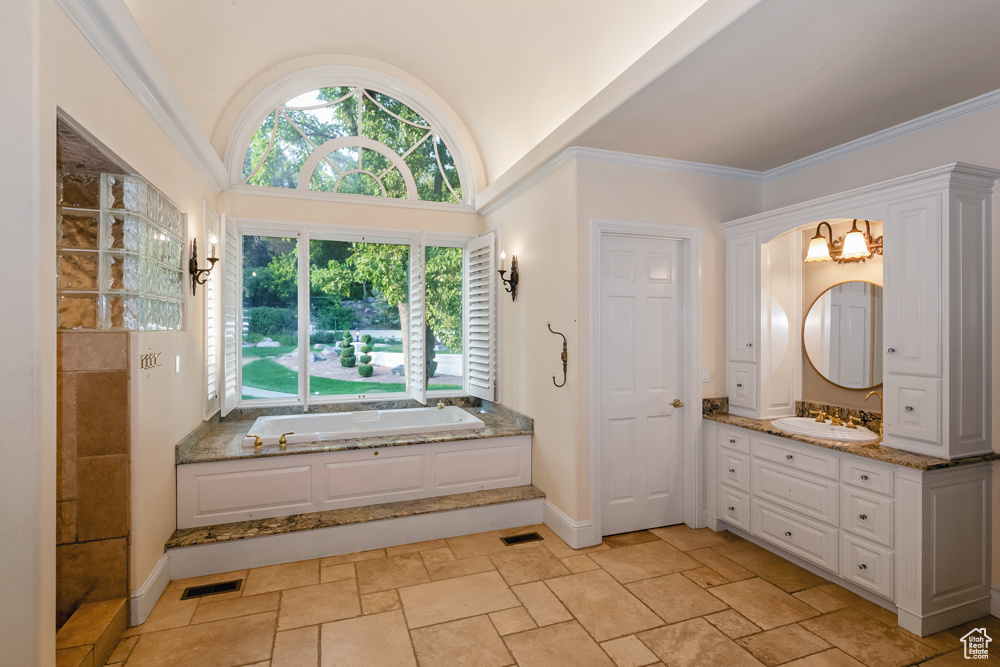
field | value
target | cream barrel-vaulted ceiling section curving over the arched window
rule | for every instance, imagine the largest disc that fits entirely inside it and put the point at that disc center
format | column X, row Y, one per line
column 512, row 71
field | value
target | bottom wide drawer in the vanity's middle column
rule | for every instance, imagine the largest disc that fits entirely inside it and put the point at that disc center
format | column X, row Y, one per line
column 798, row 535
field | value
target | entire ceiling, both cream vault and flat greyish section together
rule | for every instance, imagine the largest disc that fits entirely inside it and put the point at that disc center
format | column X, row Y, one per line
column 767, row 82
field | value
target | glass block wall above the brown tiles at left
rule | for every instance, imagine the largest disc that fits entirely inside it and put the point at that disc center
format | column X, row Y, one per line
column 120, row 247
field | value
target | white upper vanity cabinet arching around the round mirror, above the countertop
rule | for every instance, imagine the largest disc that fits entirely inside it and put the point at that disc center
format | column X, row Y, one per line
column 936, row 306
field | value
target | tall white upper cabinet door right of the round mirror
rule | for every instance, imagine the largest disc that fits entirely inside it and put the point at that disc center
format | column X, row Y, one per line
column 913, row 300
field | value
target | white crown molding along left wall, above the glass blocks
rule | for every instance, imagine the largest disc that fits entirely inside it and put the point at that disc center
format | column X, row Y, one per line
column 113, row 32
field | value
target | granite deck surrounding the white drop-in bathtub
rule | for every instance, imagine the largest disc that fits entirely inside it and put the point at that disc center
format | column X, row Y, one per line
column 222, row 440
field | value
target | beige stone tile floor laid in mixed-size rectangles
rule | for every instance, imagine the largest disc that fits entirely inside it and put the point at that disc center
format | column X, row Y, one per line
column 670, row 596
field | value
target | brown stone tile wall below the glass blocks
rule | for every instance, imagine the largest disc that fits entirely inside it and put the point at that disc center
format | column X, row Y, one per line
column 93, row 513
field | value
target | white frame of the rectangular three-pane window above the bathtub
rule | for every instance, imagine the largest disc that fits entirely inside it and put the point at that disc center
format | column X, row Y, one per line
column 304, row 234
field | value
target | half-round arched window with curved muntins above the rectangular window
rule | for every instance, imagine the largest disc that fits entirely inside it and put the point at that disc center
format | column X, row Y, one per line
column 352, row 140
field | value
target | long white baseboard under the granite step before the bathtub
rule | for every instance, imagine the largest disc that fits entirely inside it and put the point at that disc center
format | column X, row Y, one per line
column 289, row 547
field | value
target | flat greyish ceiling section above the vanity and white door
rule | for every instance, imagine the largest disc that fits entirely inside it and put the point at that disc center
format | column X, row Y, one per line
column 791, row 78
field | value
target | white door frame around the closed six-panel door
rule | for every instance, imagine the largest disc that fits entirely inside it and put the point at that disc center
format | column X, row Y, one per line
column 692, row 463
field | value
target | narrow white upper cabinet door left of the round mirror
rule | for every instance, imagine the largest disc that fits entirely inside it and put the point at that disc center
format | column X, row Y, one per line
column 741, row 289
